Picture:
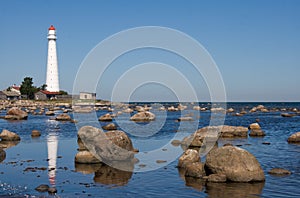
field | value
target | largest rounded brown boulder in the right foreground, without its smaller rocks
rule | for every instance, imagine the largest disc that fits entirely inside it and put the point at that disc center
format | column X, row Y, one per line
column 237, row 164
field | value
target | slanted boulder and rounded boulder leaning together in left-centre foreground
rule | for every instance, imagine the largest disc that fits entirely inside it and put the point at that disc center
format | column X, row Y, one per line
column 110, row 146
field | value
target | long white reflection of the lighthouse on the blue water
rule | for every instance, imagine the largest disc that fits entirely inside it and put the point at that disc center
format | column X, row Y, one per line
column 52, row 144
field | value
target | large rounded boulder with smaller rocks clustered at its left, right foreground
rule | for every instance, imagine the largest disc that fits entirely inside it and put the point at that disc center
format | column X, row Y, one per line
column 225, row 164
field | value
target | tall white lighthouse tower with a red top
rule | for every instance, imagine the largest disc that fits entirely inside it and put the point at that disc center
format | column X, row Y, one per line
column 52, row 80
